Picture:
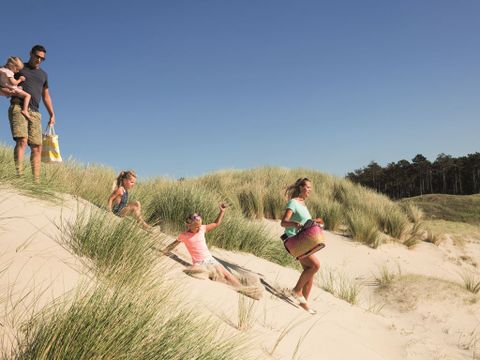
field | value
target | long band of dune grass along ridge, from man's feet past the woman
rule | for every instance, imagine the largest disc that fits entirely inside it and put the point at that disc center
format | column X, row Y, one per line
column 252, row 194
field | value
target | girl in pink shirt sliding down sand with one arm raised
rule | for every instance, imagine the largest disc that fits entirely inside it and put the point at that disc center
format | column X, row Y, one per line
column 196, row 244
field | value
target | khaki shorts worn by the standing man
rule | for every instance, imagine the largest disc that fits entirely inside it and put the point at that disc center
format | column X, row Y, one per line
column 23, row 128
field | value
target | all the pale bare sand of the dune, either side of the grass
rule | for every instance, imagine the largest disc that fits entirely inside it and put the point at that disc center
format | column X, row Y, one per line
column 418, row 317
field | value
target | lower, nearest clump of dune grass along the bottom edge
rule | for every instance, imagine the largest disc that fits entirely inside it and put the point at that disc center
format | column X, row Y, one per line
column 118, row 323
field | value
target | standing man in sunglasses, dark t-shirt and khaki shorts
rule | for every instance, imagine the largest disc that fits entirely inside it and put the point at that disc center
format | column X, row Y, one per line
column 29, row 132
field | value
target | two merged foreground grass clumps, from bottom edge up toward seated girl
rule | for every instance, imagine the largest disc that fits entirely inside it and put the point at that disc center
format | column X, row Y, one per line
column 131, row 313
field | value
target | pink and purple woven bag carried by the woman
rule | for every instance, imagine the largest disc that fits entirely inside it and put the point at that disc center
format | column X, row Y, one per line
column 306, row 242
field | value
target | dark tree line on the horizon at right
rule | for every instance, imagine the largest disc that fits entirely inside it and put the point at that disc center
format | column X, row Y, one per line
column 445, row 175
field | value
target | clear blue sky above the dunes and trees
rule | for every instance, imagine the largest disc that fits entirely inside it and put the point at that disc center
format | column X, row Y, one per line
column 181, row 88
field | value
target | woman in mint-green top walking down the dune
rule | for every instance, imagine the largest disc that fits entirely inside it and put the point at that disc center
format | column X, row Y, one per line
column 296, row 214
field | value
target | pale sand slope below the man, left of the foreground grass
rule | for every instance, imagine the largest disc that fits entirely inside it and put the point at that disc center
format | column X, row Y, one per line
column 35, row 269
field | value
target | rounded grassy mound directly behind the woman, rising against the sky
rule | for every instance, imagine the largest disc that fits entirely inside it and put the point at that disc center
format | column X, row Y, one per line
column 338, row 201
